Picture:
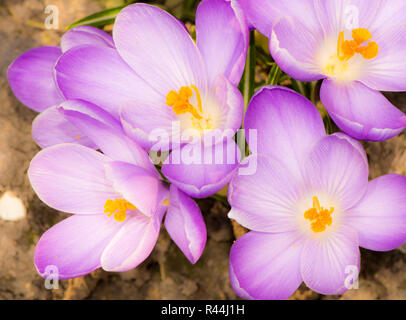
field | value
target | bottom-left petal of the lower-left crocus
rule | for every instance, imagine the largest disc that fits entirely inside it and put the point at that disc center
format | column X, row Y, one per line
column 73, row 247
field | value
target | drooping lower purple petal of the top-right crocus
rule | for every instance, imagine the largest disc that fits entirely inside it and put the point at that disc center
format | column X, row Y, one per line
column 361, row 112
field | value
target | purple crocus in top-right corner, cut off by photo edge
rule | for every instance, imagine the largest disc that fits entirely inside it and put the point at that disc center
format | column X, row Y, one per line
column 358, row 47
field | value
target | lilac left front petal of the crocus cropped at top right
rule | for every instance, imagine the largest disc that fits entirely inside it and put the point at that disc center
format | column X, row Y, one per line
column 294, row 47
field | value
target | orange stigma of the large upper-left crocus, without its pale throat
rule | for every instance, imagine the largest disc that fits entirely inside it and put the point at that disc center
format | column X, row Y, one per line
column 180, row 101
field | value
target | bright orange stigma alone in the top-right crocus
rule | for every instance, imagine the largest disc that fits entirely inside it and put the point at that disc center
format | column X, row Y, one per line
column 346, row 49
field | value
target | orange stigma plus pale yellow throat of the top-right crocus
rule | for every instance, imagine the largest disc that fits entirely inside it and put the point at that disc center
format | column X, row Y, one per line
column 337, row 65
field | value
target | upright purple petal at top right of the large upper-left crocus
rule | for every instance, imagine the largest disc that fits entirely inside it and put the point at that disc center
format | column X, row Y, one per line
column 222, row 38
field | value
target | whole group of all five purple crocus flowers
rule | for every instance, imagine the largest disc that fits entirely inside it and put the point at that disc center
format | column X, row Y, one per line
column 106, row 101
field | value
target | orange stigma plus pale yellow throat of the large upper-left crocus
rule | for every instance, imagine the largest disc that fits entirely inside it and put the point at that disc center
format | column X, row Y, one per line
column 179, row 101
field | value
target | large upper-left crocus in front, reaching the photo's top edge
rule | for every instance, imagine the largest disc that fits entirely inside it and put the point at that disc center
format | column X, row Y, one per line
column 159, row 76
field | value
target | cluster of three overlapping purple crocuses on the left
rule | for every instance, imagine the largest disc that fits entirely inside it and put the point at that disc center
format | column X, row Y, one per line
column 97, row 92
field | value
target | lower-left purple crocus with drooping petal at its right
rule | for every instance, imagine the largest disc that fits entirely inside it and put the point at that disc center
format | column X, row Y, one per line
column 117, row 197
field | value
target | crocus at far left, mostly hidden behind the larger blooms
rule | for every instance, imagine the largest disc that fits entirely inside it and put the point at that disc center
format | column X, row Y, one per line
column 32, row 79
